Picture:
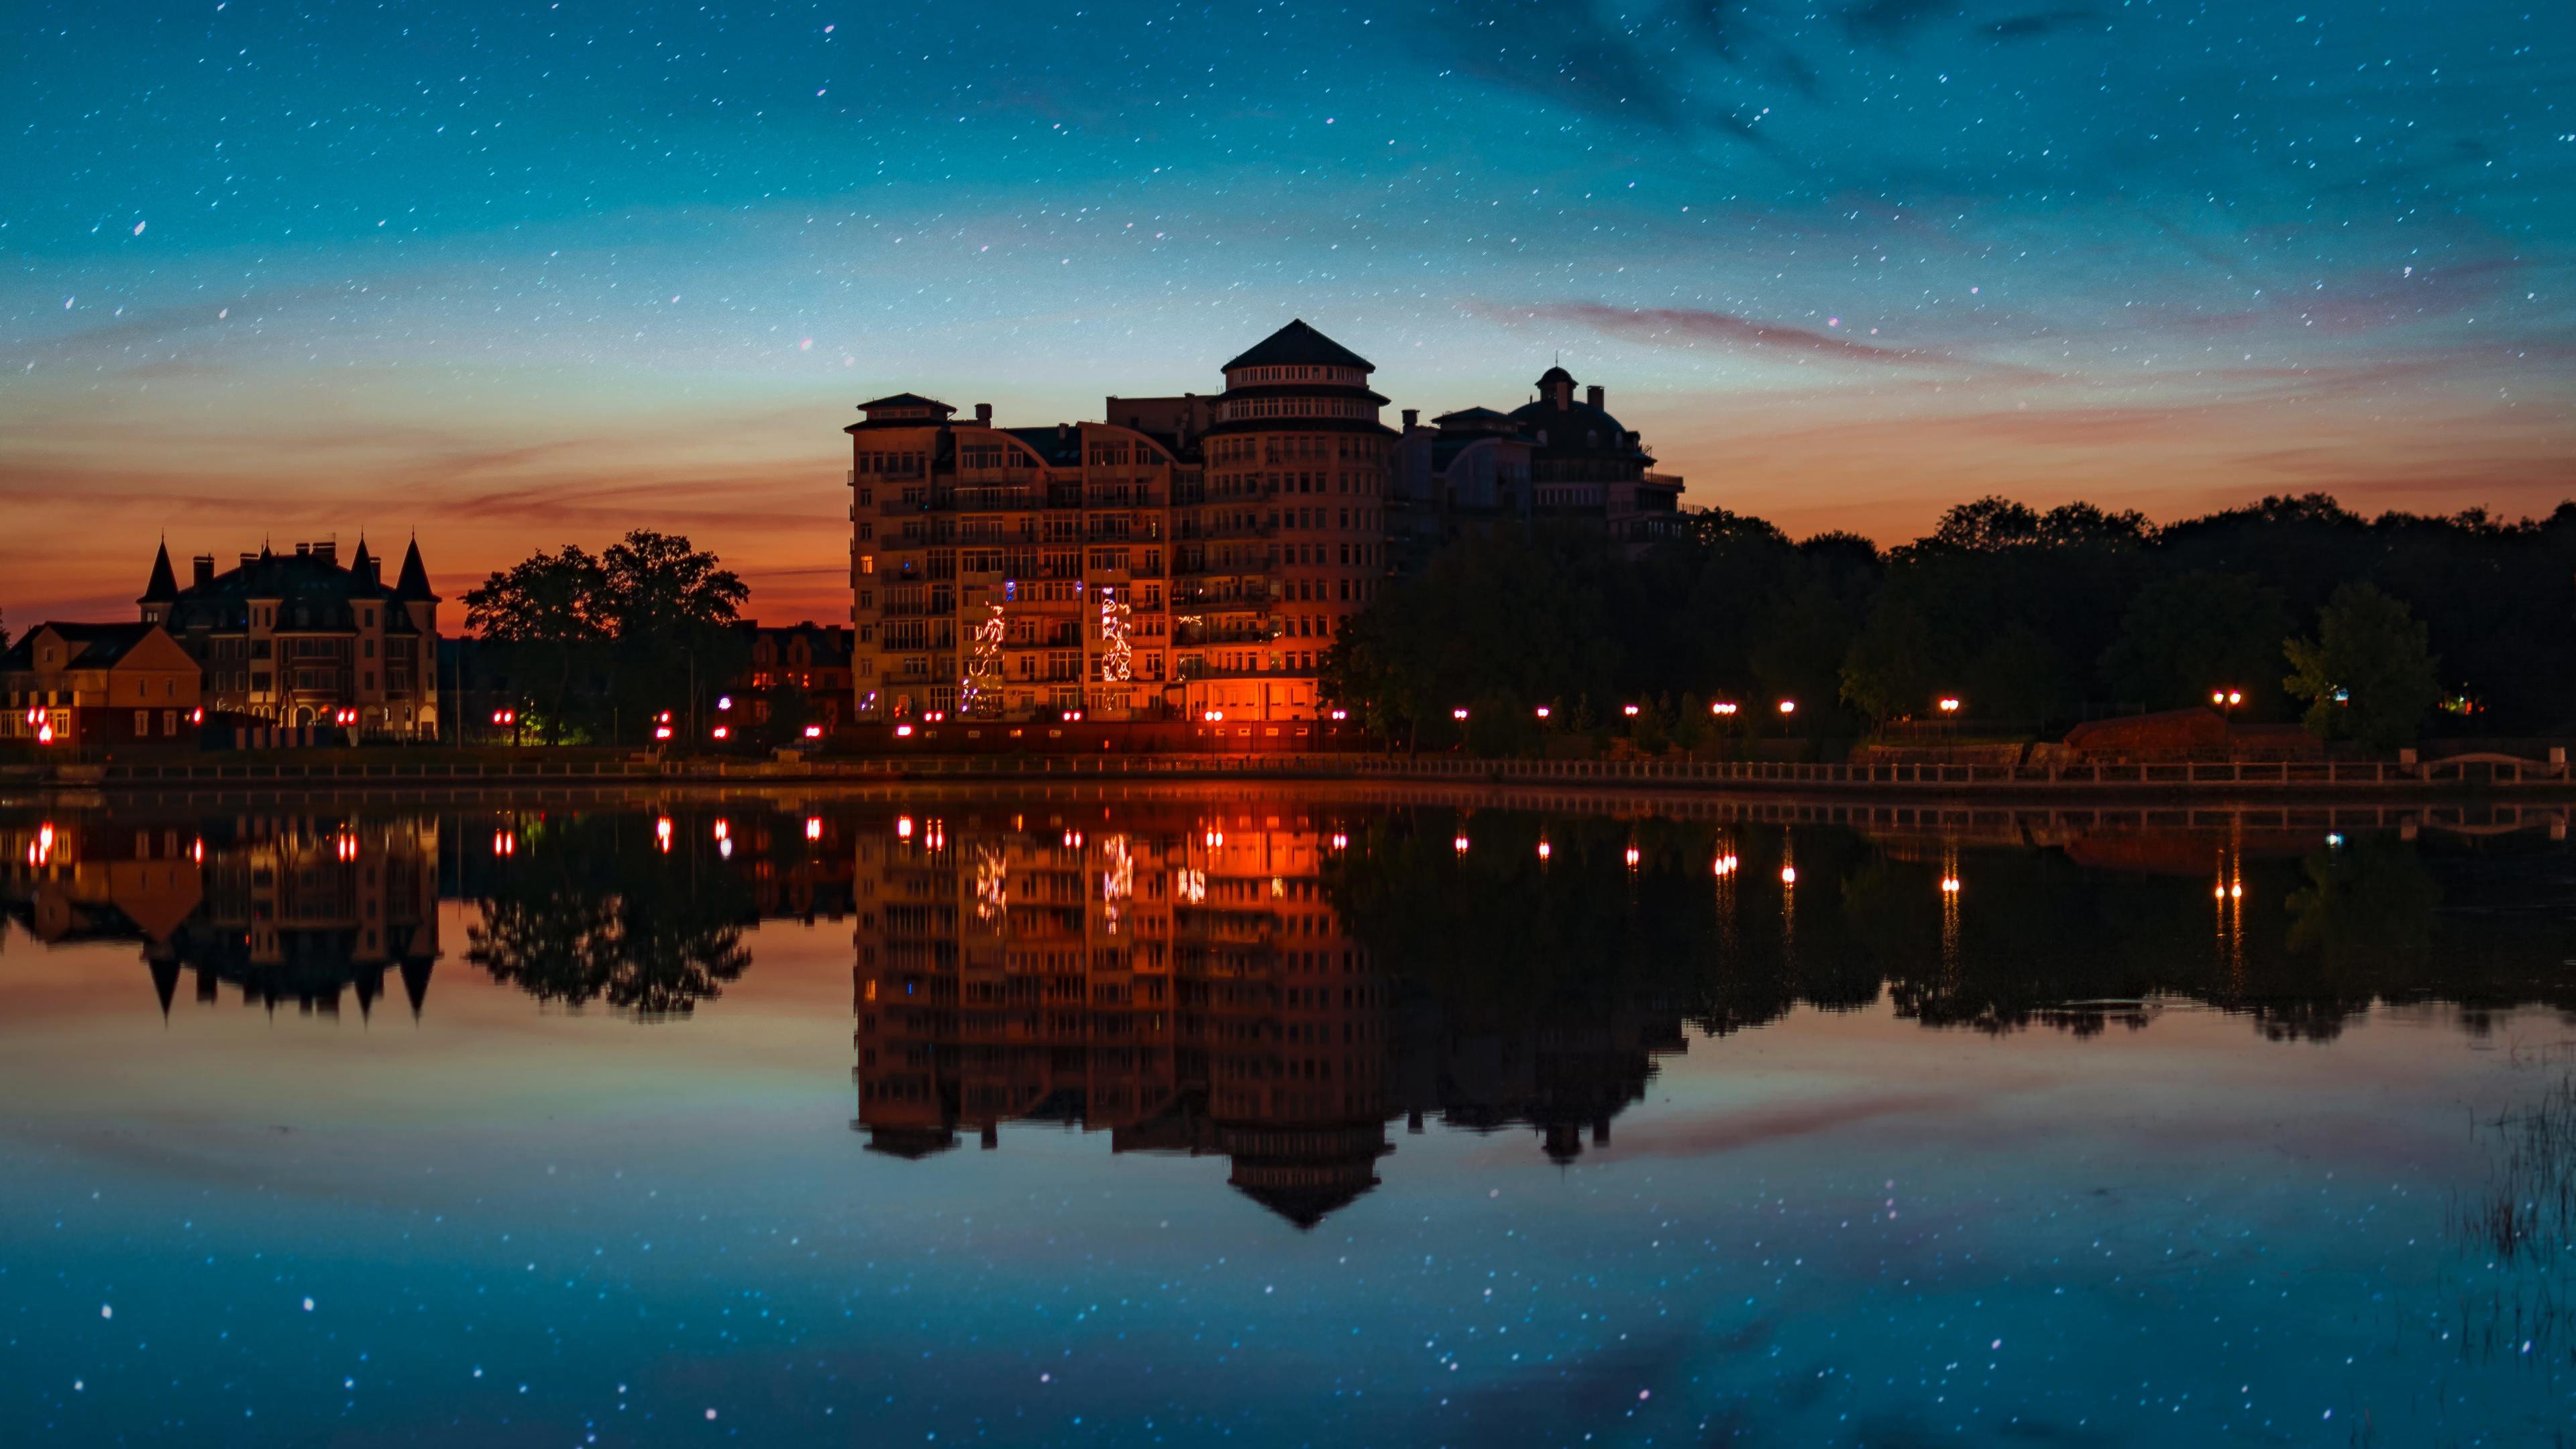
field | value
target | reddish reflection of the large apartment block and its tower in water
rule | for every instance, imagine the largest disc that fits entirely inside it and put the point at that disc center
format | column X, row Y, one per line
column 1173, row 978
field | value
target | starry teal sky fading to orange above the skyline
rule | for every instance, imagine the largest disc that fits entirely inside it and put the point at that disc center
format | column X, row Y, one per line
column 545, row 272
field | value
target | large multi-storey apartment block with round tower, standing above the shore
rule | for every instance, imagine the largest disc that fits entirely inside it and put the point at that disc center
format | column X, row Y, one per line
column 1186, row 558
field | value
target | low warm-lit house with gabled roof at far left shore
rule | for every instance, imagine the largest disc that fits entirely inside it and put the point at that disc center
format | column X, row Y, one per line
column 102, row 687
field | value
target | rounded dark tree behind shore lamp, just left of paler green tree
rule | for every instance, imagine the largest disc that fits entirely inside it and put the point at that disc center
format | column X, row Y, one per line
column 2196, row 633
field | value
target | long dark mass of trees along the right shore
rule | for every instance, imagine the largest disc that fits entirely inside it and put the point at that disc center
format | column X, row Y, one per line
column 2302, row 610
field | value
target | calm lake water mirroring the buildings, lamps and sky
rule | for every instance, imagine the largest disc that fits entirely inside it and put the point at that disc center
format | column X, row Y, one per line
column 1276, row 1123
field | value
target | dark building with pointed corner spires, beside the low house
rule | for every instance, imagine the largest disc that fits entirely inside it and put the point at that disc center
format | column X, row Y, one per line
column 308, row 641
